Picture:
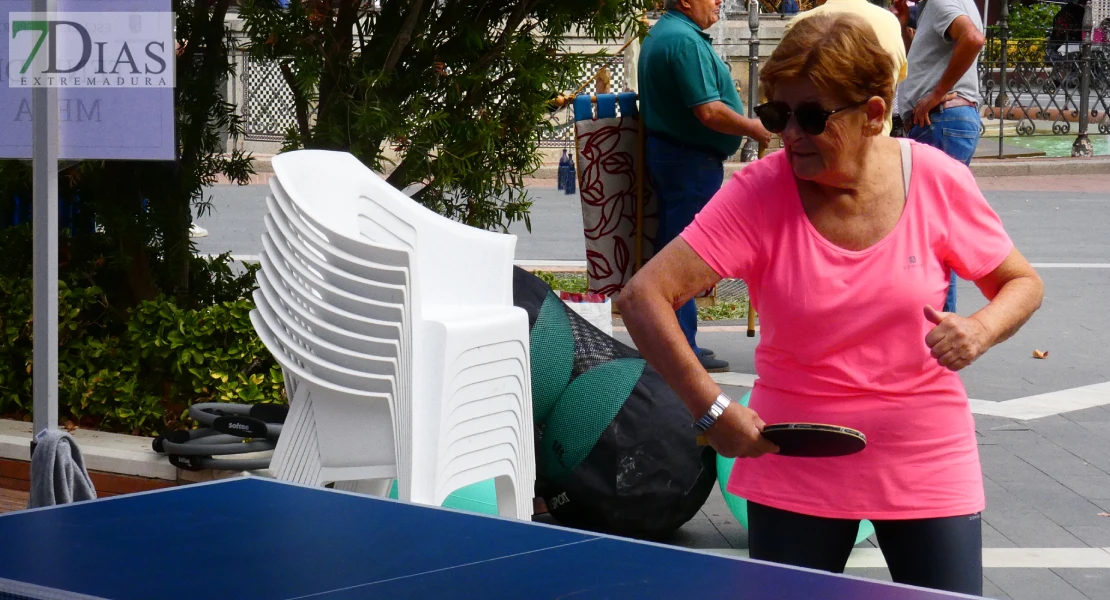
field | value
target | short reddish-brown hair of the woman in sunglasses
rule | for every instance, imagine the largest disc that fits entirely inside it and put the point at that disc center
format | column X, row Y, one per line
column 840, row 54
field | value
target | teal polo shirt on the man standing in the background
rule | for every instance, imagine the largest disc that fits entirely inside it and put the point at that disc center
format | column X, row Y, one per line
column 679, row 70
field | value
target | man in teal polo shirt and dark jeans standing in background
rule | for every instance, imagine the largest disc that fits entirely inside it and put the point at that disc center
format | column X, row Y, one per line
column 695, row 121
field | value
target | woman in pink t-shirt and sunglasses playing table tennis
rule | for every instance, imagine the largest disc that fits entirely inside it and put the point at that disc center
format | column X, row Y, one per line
column 846, row 241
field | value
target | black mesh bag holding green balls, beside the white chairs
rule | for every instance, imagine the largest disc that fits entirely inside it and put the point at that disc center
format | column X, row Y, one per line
column 617, row 450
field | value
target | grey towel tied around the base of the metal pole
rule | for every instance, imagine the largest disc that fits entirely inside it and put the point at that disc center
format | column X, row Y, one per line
column 58, row 473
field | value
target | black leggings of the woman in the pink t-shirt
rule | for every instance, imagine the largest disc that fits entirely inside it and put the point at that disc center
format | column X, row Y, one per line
column 943, row 554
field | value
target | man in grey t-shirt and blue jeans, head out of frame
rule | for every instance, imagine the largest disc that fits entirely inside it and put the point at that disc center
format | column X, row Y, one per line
column 940, row 100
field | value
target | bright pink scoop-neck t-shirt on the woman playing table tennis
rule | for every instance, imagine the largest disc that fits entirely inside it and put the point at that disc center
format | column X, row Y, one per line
column 843, row 340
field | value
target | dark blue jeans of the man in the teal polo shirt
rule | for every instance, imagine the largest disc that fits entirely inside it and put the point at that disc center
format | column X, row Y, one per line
column 684, row 180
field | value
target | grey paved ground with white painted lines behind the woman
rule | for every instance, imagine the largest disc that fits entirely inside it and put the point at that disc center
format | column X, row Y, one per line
column 1047, row 481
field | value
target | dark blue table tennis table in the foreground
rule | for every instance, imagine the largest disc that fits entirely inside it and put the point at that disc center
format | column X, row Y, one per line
column 254, row 538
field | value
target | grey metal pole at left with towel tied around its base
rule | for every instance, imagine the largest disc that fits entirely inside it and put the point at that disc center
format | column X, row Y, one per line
column 45, row 165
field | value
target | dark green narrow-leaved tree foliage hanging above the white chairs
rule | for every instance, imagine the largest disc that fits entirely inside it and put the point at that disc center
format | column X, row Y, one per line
column 449, row 97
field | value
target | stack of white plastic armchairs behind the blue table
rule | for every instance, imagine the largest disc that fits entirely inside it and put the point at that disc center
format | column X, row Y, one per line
column 403, row 353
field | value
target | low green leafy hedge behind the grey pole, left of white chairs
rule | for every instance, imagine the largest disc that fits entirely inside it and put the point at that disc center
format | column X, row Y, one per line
column 138, row 370
